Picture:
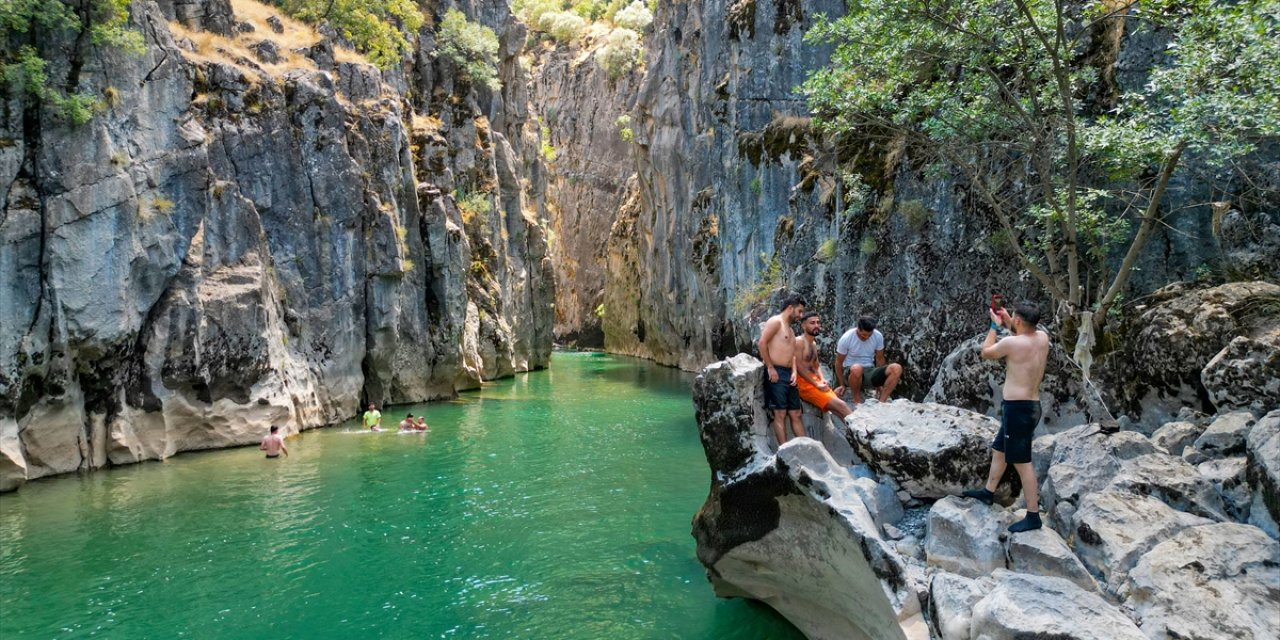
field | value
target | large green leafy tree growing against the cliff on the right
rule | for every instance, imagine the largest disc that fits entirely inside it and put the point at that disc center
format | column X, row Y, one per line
column 1020, row 99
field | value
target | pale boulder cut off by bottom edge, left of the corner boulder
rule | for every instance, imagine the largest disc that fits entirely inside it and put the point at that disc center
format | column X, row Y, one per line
column 1025, row 607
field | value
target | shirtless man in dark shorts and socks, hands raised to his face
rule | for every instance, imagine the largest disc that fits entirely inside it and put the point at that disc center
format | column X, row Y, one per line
column 1025, row 354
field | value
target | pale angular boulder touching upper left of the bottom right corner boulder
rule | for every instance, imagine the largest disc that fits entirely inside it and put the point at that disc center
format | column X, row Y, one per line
column 1113, row 529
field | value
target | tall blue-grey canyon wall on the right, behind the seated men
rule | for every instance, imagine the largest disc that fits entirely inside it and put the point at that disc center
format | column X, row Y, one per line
column 735, row 198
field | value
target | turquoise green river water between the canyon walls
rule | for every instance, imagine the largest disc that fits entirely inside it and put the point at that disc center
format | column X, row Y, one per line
column 556, row 505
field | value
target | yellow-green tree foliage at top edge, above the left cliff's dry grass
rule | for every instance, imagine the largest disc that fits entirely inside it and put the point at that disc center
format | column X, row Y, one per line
column 377, row 28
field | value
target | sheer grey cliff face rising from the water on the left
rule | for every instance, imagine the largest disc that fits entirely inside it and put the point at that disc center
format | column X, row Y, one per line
column 255, row 235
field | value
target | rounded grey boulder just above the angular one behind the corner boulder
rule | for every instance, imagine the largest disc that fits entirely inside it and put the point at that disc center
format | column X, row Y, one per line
column 1174, row 482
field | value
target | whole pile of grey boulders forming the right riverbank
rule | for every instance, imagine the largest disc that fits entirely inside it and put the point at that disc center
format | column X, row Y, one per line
column 1165, row 537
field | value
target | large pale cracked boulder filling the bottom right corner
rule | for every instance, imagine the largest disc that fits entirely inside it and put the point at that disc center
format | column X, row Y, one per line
column 1209, row 582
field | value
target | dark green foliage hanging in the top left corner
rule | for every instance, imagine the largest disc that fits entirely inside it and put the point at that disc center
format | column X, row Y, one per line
column 24, row 71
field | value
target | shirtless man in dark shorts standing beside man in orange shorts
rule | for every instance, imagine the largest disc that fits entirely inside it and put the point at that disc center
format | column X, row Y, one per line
column 779, row 353
